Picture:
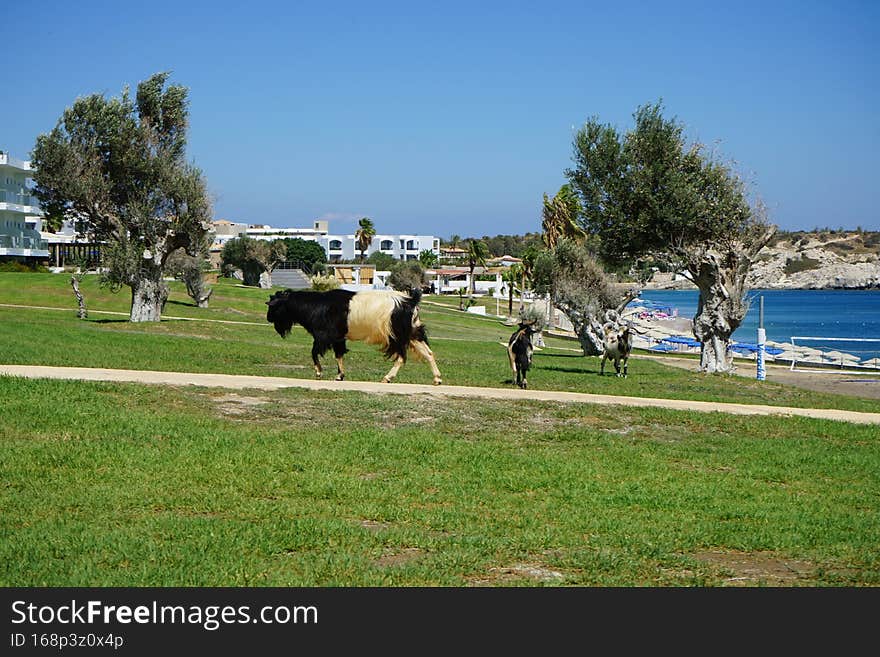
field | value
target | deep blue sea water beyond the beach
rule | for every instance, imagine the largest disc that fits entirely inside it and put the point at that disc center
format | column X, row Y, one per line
column 787, row 313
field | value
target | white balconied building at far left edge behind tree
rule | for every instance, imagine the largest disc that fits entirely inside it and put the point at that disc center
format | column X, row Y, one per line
column 20, row 215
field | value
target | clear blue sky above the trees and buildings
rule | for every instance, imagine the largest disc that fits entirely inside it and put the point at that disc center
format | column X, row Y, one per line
column 454, row 118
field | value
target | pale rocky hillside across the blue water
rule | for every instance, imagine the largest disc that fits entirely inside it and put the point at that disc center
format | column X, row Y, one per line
column 819, row 260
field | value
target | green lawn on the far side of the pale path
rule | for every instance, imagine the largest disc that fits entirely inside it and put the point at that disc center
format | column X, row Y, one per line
column 233, row 337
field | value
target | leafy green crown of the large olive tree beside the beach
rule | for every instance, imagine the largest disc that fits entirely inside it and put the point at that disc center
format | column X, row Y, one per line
column 649, row 192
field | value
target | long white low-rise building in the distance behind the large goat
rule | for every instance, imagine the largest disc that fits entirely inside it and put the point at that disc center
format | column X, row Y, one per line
column 337, row 247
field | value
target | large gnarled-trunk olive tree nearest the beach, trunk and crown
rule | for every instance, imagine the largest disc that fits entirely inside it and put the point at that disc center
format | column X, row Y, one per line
column 648, row 193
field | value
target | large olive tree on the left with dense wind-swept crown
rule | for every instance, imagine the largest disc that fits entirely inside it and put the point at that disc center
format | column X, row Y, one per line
column 118, row 167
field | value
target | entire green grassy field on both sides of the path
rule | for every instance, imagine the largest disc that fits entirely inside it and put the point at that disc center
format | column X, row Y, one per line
column 130, row 485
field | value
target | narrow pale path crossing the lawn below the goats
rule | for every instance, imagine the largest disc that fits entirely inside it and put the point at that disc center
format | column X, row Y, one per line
column 238, row 381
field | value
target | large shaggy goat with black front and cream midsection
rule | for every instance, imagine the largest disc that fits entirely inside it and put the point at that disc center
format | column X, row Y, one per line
column 384, row 318
